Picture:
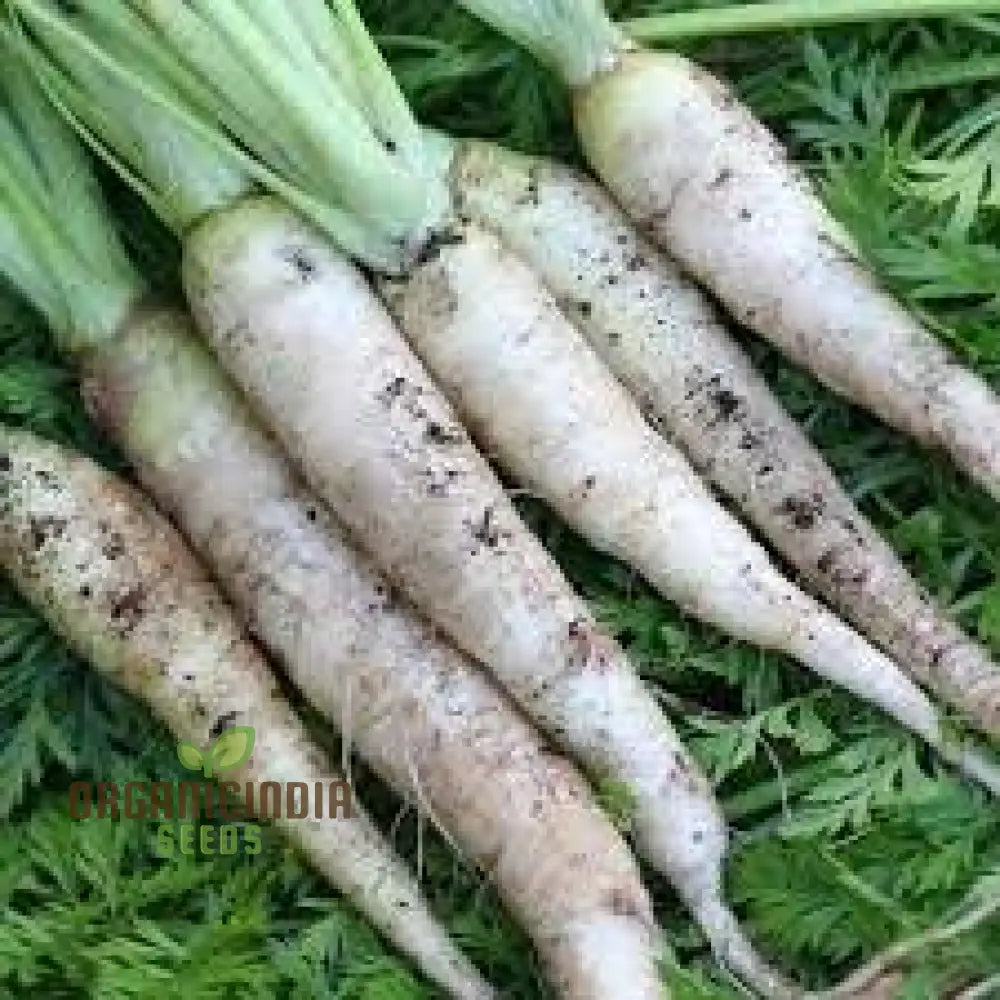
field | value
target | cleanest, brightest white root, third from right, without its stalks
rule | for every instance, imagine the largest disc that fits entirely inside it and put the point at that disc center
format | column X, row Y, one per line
column 541, row 399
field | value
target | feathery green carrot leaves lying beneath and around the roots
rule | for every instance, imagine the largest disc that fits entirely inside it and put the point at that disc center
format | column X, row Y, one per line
column 847, row 834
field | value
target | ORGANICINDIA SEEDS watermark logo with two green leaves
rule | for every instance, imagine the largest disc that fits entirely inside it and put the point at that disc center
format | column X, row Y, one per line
column 210, row 799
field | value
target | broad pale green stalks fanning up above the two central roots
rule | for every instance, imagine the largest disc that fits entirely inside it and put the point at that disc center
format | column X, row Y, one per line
column 193, row 100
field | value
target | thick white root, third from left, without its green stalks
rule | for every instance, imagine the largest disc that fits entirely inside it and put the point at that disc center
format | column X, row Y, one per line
column 301, row 331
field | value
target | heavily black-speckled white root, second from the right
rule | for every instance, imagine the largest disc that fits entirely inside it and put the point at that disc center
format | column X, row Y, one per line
column 662, row 338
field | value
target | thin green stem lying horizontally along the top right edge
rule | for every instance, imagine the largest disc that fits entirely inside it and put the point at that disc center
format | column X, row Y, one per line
column 795, row 15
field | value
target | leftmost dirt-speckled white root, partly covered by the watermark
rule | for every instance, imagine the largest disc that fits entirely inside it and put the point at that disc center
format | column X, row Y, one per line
column 119, row 584
